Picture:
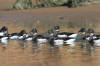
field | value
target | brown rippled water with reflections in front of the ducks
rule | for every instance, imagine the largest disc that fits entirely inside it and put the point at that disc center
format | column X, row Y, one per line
column 19, row 54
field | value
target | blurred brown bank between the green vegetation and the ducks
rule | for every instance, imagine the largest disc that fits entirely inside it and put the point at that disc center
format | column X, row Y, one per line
column 45, row 18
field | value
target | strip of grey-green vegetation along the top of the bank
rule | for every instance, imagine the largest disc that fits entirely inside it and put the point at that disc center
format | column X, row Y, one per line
column 29, row 4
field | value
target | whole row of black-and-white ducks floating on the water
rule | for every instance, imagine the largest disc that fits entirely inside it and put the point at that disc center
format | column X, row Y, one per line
column 54, row 37
